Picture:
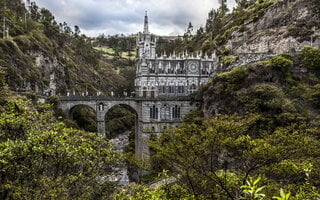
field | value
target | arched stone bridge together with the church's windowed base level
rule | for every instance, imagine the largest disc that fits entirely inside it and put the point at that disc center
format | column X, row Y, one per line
column 153, row 115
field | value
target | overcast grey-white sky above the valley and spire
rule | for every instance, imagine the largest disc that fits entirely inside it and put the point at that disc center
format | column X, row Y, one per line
column 166, row 17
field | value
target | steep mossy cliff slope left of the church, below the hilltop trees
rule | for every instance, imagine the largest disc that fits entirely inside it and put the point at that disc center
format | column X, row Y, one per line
column 36, row 63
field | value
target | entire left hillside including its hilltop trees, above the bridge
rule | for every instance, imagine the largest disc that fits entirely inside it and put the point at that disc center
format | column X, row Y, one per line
column 45, row 57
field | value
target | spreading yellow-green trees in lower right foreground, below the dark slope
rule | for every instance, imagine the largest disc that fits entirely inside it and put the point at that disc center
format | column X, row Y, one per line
column 214, row 157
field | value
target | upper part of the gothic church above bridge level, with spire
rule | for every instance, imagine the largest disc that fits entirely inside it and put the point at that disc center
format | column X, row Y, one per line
column 169, row 76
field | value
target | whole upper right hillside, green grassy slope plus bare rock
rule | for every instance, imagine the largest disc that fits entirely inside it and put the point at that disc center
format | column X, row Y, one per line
column 275, row 26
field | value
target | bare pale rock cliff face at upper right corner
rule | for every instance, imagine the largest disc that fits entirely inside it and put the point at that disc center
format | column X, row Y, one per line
column 285, row 26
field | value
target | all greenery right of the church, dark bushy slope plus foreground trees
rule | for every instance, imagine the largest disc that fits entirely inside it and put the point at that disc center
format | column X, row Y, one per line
column 273, row 135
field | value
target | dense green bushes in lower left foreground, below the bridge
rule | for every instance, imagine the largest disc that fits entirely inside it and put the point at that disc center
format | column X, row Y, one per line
column 42, row 159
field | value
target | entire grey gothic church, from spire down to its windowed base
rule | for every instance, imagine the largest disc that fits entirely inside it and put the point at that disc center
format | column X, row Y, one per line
column 163, row 84
